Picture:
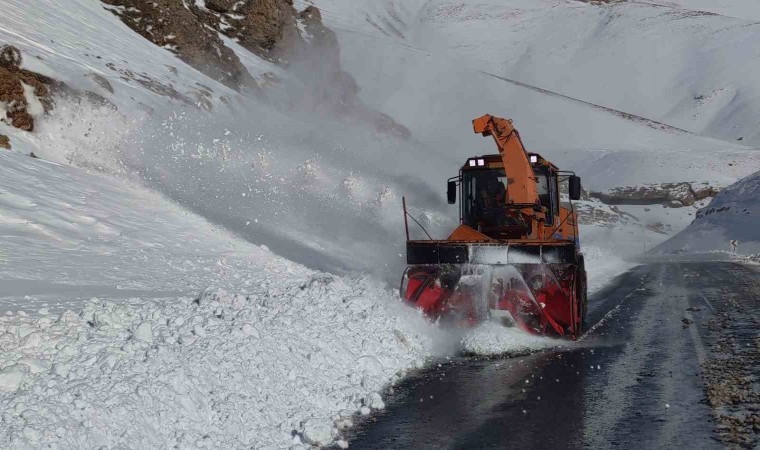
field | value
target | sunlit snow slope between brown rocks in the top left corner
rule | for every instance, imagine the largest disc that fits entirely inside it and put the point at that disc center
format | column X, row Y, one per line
column 75, row 40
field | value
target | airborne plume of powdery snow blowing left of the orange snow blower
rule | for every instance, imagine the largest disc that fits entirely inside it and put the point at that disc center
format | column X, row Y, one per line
column 312, row 188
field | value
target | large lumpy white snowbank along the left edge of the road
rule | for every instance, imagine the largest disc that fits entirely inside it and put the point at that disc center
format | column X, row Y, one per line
column 286, row 364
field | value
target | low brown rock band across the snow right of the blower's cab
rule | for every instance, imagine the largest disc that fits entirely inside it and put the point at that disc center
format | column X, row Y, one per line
column 672, row 195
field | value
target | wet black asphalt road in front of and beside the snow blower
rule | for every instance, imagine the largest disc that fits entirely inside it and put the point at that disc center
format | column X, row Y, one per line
column 633, row 381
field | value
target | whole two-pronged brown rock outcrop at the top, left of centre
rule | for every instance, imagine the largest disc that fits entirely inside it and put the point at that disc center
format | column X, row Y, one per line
column 190, row 30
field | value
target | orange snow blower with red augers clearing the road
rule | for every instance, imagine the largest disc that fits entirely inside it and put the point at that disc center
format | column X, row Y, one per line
column 515, row 256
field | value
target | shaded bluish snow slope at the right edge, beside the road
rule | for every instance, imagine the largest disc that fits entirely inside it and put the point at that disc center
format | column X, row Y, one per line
column 733, row 215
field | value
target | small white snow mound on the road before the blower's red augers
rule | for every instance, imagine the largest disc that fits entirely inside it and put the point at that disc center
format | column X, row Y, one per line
column 491, row 338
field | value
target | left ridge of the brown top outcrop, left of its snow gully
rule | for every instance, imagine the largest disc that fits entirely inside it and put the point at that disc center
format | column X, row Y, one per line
column 171, row 24
